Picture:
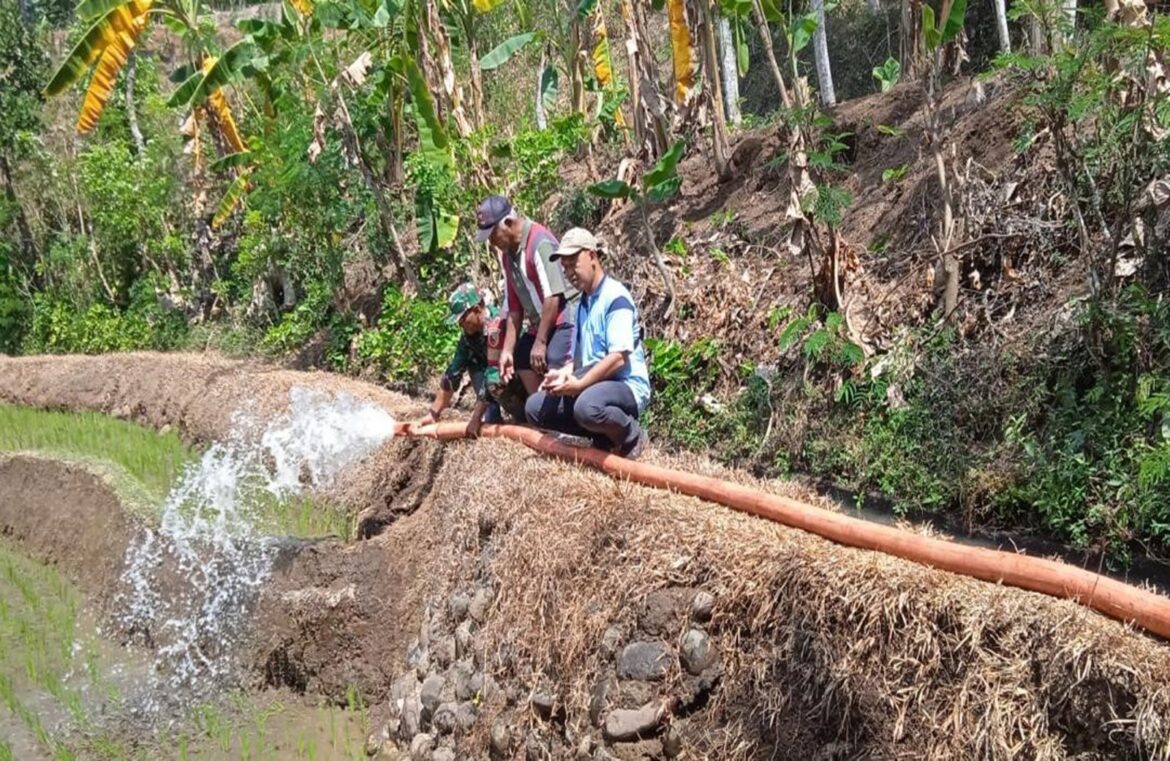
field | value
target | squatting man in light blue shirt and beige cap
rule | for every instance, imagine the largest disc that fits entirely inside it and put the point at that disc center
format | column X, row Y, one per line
column 609, row 385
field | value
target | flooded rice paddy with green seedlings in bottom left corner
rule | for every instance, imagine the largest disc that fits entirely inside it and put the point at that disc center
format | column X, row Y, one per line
column 68, row 693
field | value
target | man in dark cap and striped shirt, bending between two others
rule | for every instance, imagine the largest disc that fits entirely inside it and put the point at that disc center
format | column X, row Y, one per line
column 535, row 292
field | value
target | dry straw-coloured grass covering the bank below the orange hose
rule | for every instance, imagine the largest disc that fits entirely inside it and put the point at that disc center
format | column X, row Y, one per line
column 823, row 647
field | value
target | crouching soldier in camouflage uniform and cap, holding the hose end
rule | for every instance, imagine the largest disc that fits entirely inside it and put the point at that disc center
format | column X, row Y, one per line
column 478, row 354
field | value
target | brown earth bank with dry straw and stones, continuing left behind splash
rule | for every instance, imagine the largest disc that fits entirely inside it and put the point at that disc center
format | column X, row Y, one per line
column 515, row 607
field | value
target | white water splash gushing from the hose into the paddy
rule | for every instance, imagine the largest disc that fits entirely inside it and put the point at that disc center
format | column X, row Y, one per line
column 190, row 585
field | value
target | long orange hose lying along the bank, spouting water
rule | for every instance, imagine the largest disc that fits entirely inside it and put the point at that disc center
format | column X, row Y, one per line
column 1114, row 599
